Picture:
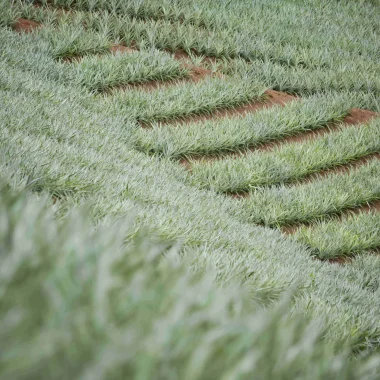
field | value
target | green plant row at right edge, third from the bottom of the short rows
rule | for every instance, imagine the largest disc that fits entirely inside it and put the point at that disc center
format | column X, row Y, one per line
column 287, row 162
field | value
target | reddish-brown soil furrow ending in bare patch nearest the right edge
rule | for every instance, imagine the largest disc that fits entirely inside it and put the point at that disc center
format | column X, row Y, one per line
column 355, row 117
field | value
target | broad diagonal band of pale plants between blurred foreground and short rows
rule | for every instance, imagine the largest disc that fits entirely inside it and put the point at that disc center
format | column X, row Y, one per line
column 69, row 152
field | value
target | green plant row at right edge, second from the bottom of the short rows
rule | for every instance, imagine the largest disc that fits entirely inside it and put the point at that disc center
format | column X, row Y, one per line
column 278, row 205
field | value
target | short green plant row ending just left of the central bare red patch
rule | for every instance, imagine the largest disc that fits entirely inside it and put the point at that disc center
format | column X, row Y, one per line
column 186, row 99
